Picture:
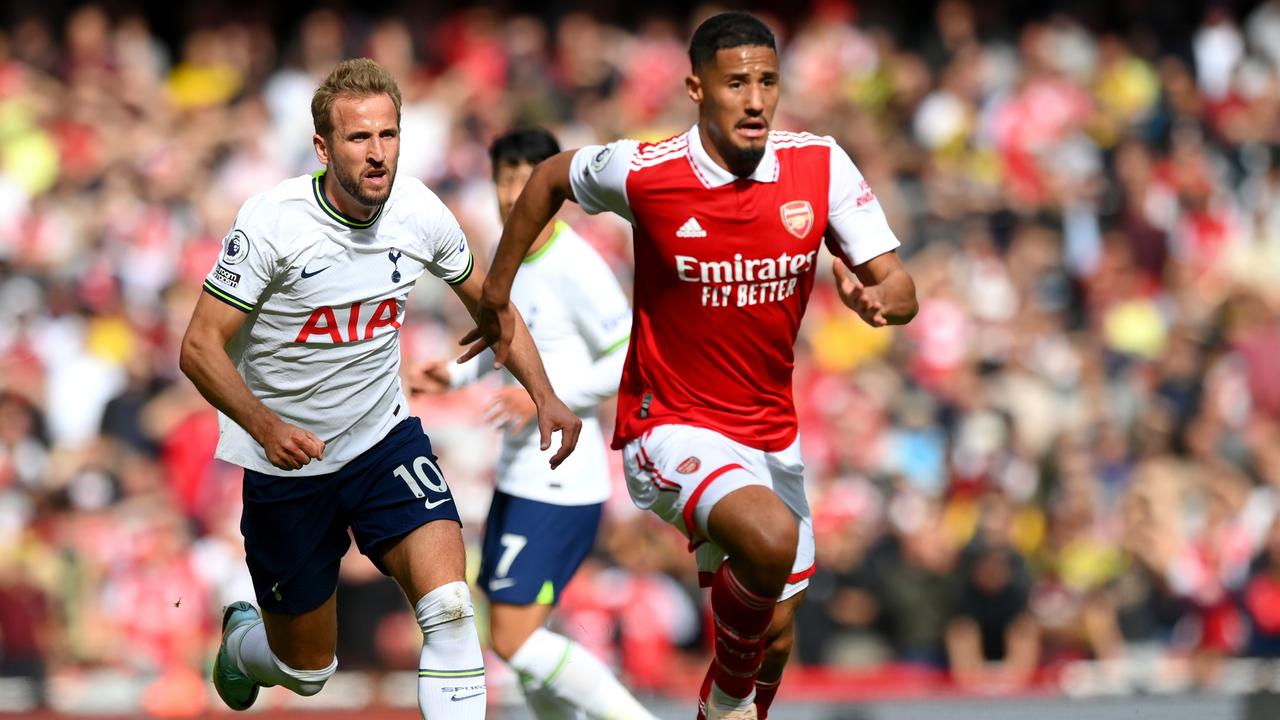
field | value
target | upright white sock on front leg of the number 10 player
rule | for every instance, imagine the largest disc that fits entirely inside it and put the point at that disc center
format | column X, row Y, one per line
column 451, row 675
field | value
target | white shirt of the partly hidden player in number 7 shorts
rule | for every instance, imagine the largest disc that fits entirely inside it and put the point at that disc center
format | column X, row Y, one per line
column 580, row 322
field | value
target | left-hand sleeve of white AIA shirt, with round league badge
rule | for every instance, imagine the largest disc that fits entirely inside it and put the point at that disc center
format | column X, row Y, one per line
column 248, row 262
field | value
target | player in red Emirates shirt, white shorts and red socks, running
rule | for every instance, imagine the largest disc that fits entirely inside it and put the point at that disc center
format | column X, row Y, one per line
column 729, row 221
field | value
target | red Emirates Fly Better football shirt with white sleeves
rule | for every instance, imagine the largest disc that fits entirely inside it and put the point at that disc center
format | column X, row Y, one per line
column 724, row 272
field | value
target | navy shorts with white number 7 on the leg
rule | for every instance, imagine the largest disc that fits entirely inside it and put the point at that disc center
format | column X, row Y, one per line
column 533, row 549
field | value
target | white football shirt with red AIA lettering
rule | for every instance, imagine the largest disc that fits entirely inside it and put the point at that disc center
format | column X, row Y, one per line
column 326, row 298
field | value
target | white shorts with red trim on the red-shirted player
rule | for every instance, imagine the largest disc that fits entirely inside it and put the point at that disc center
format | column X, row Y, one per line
column 682, row 472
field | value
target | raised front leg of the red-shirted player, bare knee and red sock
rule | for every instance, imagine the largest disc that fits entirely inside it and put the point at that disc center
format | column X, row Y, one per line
column 760, row 535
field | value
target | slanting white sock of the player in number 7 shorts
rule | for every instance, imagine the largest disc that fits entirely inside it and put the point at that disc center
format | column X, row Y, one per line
column 577, row 677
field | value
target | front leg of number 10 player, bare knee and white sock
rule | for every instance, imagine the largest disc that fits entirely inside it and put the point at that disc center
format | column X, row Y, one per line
column 429, row 564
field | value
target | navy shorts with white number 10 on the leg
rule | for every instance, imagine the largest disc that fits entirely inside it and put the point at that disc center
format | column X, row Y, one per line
column 296, row 528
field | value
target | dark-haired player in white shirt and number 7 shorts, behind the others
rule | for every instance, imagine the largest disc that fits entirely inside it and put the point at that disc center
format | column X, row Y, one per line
column 542, row 523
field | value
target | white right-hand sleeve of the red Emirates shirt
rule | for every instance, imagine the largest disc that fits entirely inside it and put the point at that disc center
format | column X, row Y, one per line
column 856, row 220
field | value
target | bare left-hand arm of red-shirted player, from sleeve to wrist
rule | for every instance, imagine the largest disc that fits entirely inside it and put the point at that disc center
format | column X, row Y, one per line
column 547, row 190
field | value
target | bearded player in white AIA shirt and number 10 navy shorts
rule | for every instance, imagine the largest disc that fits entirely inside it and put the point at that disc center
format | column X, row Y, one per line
column 296, row 341
